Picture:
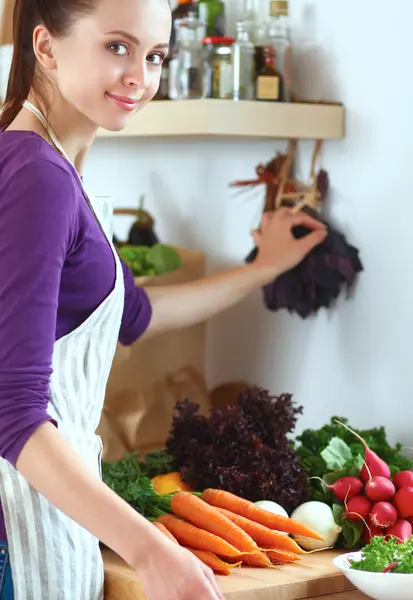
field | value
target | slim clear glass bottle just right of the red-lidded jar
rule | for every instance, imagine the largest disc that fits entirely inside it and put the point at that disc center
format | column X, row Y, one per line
column 243, row 64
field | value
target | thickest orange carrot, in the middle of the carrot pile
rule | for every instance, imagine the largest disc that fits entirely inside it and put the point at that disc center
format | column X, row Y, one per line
column 199, row 513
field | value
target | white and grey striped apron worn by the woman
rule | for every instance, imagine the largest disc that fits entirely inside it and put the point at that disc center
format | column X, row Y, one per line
column 52, row 557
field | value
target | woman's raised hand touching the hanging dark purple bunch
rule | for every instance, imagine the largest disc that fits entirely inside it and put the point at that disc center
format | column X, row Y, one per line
column 278, row 249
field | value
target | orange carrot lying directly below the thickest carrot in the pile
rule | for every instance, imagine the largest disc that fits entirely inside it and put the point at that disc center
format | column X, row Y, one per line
column 194, row 537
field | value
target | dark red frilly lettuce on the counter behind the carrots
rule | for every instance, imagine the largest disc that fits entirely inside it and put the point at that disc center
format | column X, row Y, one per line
column 242, row 448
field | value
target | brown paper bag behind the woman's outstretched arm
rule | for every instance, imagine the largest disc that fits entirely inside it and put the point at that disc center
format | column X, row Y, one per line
column 150, row 376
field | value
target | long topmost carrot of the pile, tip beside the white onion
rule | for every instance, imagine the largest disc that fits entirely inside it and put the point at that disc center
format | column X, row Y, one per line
column 245, row 508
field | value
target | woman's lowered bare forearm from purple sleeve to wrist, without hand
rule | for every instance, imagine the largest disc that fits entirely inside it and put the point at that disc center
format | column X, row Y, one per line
column 55, row 470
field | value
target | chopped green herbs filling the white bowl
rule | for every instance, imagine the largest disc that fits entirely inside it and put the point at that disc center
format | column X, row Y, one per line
column 380, row 554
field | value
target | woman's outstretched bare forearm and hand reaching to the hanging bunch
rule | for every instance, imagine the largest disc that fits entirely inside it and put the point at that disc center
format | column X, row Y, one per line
column 189, row 303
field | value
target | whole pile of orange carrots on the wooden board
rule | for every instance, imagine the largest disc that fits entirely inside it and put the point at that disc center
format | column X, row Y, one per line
column 224, row 531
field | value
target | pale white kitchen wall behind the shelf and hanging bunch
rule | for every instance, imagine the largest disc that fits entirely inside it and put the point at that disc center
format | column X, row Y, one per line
column 356, row 359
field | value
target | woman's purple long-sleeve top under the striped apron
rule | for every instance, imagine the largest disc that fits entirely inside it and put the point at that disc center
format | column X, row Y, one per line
column 56, row 268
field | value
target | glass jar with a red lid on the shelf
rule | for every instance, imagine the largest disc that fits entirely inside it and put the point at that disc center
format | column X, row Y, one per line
column 218, row 50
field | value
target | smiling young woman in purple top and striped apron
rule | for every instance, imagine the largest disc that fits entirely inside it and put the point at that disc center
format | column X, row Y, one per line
column 66, row 299
